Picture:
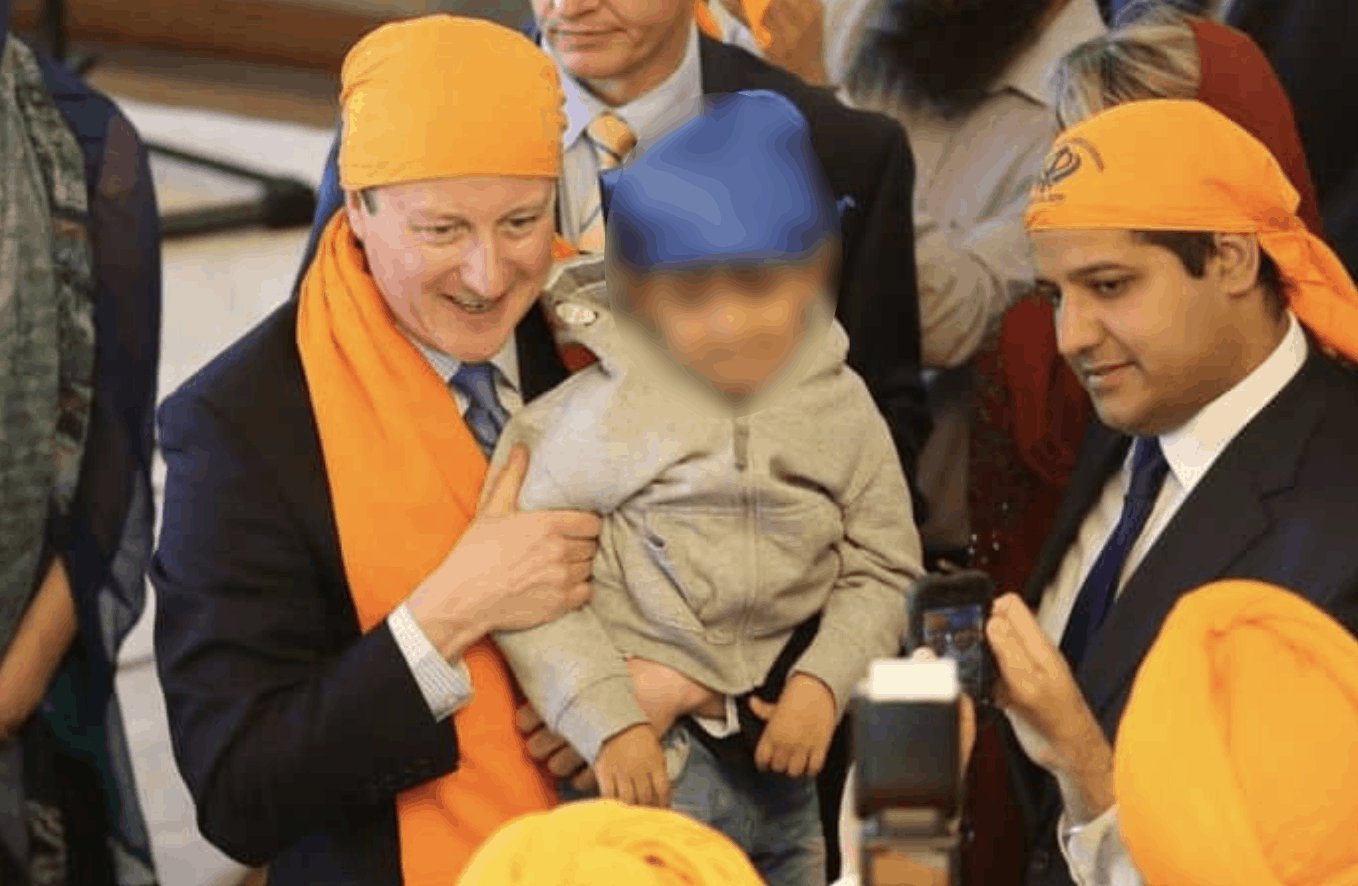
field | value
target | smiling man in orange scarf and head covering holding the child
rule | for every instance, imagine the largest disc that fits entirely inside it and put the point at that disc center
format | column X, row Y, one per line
column 327, row 581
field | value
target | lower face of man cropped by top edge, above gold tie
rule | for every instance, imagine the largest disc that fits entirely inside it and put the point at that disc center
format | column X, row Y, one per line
column 620, row 48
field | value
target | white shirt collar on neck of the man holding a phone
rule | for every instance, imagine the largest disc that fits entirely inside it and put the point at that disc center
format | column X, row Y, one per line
column 1193, row 449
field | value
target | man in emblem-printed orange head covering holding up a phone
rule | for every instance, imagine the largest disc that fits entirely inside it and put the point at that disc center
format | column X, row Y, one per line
column 1197, row 311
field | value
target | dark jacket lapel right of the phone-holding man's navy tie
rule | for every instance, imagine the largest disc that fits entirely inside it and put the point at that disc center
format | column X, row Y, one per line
column 1219, row 522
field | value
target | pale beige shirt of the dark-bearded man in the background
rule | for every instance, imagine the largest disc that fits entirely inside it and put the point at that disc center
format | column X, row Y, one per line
column 973, row 179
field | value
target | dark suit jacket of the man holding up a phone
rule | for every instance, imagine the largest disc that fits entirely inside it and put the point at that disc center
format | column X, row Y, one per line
column 1280, row 506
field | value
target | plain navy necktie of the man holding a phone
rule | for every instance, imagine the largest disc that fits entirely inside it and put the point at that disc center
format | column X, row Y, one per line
column 1101, row 588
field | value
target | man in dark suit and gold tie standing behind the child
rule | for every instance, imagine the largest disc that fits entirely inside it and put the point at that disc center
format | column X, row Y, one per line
column 638, row 60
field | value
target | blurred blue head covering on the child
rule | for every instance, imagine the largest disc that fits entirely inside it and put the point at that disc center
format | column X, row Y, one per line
column 737, row 184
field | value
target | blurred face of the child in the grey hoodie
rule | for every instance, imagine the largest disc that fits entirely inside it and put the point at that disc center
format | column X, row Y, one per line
column 735, row 327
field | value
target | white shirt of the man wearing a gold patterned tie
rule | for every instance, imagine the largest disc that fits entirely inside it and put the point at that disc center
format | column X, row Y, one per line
column 648, row 116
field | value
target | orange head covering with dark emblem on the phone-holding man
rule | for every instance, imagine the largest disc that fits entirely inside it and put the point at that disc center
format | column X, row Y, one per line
column 1182, row 166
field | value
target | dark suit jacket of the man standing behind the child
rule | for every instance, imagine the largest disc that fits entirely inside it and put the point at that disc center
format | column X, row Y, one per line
column 871, row 172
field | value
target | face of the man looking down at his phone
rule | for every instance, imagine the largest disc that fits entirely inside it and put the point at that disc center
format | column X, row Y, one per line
column 1151, row 344
